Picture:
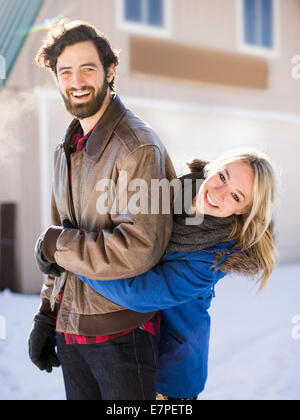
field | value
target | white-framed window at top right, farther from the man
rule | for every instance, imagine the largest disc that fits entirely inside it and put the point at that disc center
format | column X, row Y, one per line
column 259, row 25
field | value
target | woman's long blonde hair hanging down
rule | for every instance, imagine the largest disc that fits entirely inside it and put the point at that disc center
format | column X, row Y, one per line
column 254, row 228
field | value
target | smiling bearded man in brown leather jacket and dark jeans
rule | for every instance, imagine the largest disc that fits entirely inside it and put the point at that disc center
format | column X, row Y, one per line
column 106, row 351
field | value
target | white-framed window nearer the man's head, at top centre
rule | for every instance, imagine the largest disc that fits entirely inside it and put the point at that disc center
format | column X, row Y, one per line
column 147, row 16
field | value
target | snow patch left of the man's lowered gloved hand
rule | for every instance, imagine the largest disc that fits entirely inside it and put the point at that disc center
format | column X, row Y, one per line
column 19, row 378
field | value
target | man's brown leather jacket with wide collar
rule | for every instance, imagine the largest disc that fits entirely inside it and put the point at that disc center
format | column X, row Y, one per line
column 106, row 246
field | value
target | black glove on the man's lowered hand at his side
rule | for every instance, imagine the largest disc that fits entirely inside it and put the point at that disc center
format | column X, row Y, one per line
column 42, row 343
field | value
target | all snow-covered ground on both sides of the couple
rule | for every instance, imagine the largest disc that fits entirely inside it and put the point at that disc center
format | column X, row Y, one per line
column 253, row 353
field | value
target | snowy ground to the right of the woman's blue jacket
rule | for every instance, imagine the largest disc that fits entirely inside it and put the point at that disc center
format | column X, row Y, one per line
column 253, row 353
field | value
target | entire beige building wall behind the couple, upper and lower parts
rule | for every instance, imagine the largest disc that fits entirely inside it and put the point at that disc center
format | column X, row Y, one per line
column 192, row 118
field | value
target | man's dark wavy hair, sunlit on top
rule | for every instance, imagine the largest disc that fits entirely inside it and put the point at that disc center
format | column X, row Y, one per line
column 66, row 33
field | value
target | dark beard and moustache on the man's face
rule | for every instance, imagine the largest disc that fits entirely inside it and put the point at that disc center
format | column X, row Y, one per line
column 87, row 109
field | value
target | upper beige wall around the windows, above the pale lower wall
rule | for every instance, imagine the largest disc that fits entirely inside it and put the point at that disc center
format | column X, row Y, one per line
column 201, row 23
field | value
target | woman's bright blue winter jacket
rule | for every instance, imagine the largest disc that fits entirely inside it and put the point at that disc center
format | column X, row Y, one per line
column 182, row 286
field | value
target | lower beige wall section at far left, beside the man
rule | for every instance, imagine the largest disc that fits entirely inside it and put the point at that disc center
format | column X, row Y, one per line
column 19, row 183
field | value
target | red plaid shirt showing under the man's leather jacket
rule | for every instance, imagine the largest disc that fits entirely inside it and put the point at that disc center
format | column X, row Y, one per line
column 152, row 326
